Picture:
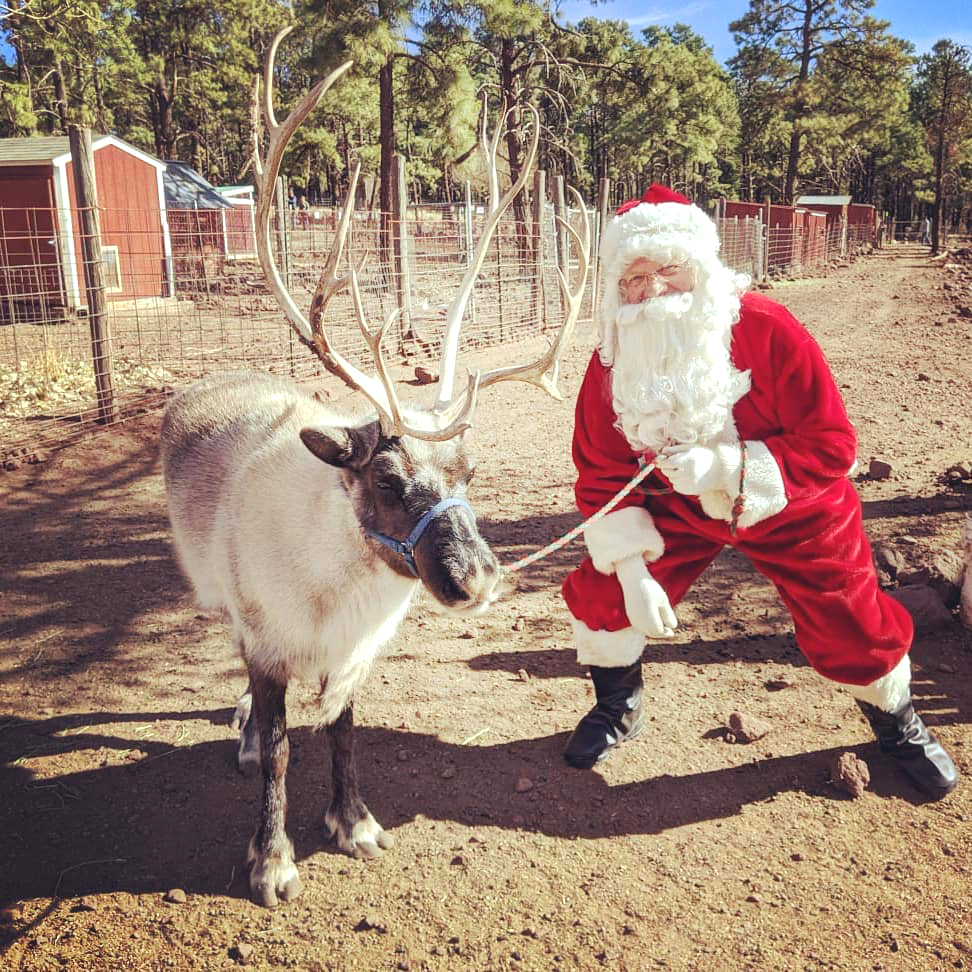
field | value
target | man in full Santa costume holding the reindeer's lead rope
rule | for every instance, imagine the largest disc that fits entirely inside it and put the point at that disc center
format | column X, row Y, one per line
column 732, row 400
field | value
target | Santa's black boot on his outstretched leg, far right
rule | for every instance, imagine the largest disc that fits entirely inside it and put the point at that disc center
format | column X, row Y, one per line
column 920, row 755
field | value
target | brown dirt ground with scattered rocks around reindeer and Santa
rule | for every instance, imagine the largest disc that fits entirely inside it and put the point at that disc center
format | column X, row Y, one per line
column 681, row 851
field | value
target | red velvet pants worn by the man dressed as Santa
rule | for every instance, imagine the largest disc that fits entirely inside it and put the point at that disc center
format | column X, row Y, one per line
column 816, row 555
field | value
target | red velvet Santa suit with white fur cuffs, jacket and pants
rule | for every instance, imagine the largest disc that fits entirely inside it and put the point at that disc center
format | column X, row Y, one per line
column 800, row 520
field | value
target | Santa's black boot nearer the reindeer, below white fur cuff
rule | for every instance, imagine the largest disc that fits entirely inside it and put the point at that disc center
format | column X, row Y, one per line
column 616, row 717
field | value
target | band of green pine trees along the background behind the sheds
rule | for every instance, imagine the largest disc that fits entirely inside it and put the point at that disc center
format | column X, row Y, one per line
column 840, row 106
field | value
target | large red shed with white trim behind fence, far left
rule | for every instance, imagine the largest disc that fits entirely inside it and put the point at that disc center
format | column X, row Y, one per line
column 40, row 247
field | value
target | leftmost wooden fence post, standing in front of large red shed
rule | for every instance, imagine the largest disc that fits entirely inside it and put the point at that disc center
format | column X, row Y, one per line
column 82, row 159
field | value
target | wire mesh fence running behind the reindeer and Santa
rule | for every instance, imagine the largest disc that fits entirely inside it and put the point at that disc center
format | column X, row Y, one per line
column 186, row 297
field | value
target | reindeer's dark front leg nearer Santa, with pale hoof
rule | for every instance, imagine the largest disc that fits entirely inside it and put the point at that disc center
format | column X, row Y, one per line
column 347, row 818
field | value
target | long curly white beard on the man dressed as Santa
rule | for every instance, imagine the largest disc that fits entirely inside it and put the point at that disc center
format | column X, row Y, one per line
column 672, row 378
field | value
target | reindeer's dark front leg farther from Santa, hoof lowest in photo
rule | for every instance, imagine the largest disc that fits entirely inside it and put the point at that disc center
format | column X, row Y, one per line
column 271, row 854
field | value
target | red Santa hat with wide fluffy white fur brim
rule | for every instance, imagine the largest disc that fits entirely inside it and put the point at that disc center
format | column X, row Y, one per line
column 662, row 225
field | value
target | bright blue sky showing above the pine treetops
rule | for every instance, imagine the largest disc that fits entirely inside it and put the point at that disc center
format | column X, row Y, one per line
column 922, row 22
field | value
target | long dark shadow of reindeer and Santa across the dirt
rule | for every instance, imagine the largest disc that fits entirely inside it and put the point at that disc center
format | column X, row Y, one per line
column 182, row 816
